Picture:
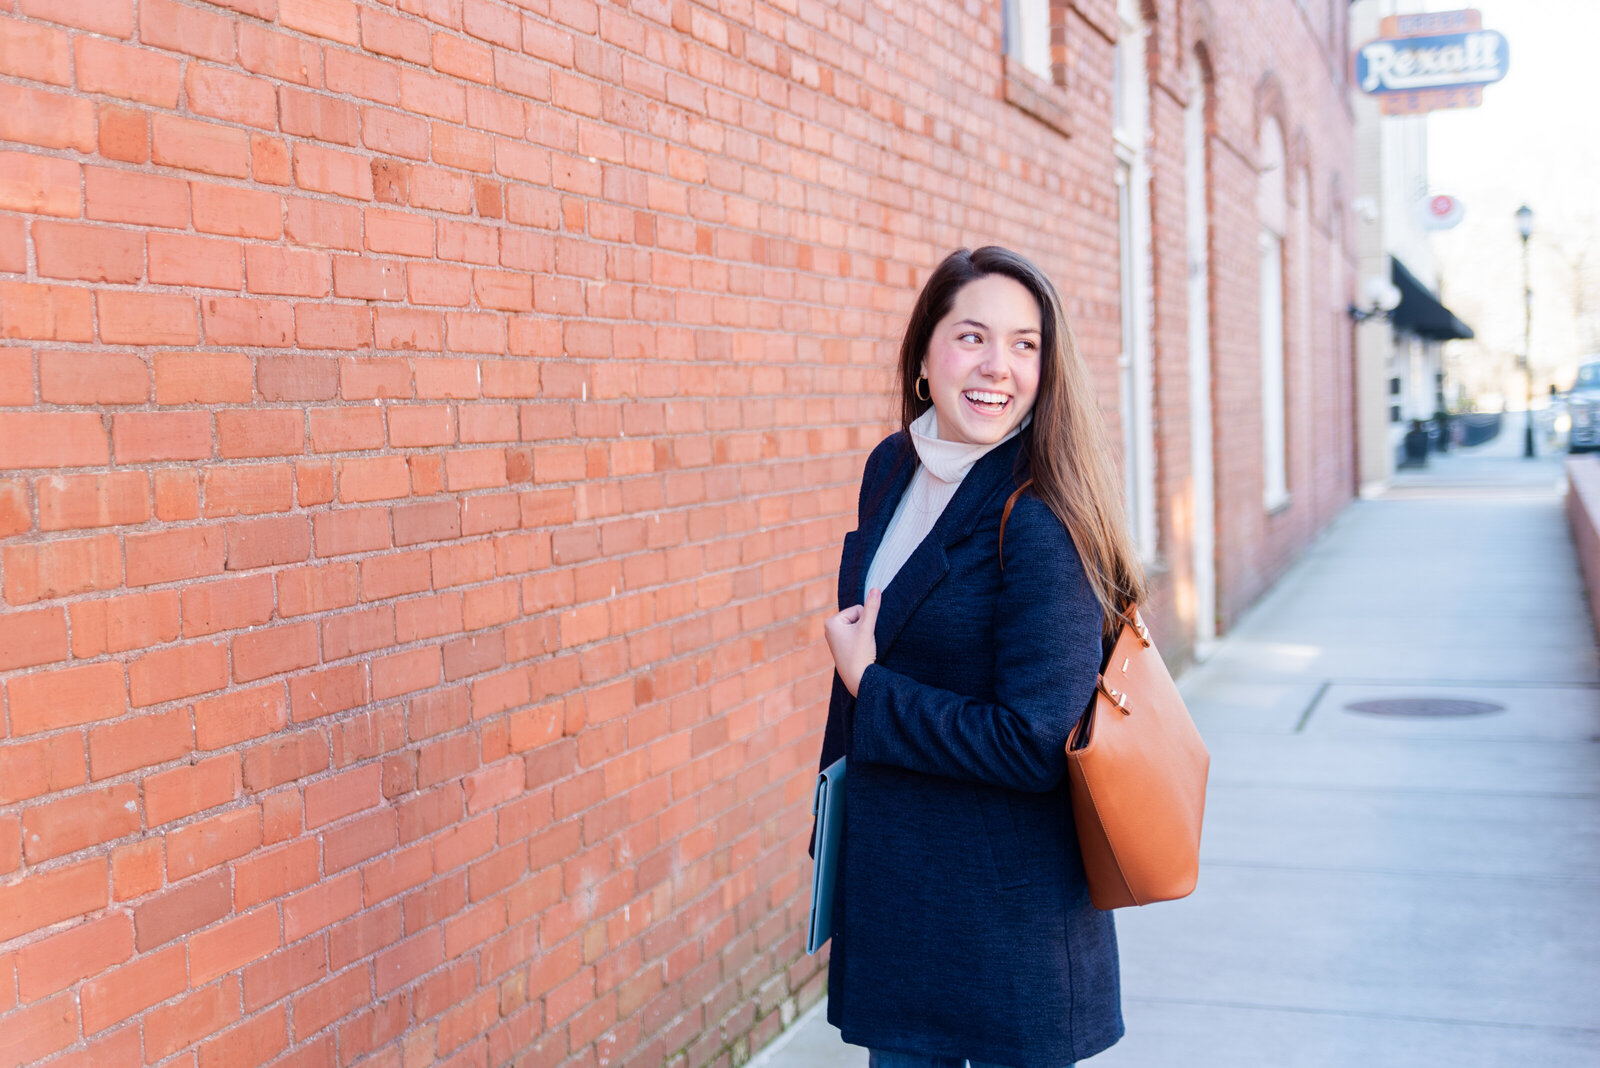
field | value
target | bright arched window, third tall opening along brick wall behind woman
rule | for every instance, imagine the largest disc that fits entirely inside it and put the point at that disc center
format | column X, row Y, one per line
column 1273, row 213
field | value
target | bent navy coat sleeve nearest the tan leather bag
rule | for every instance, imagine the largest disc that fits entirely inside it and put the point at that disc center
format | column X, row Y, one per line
column 1047, row 650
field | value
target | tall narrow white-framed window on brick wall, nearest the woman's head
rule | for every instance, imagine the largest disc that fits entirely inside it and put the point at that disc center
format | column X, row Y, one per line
column 1130, row 102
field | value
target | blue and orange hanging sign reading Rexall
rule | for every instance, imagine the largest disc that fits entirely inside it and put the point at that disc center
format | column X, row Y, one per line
column 1425, row 63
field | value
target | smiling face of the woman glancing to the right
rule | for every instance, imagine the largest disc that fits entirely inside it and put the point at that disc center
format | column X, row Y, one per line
column 983, row 361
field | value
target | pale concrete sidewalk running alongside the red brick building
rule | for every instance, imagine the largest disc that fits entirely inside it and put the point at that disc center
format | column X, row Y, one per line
column 1394, row 891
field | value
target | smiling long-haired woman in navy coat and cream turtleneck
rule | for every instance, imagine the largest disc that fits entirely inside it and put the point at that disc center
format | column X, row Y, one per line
column 962, row 920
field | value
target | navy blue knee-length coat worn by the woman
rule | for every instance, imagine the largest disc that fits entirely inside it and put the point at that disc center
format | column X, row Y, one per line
column 962, row 922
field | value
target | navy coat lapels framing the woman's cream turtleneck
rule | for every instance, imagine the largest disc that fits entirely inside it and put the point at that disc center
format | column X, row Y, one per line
column 929, row 562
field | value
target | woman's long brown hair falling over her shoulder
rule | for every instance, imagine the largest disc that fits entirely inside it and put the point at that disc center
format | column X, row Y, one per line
column 1070, row 452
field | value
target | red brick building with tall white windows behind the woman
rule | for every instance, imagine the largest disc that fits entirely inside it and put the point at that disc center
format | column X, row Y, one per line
column 426, row 439
